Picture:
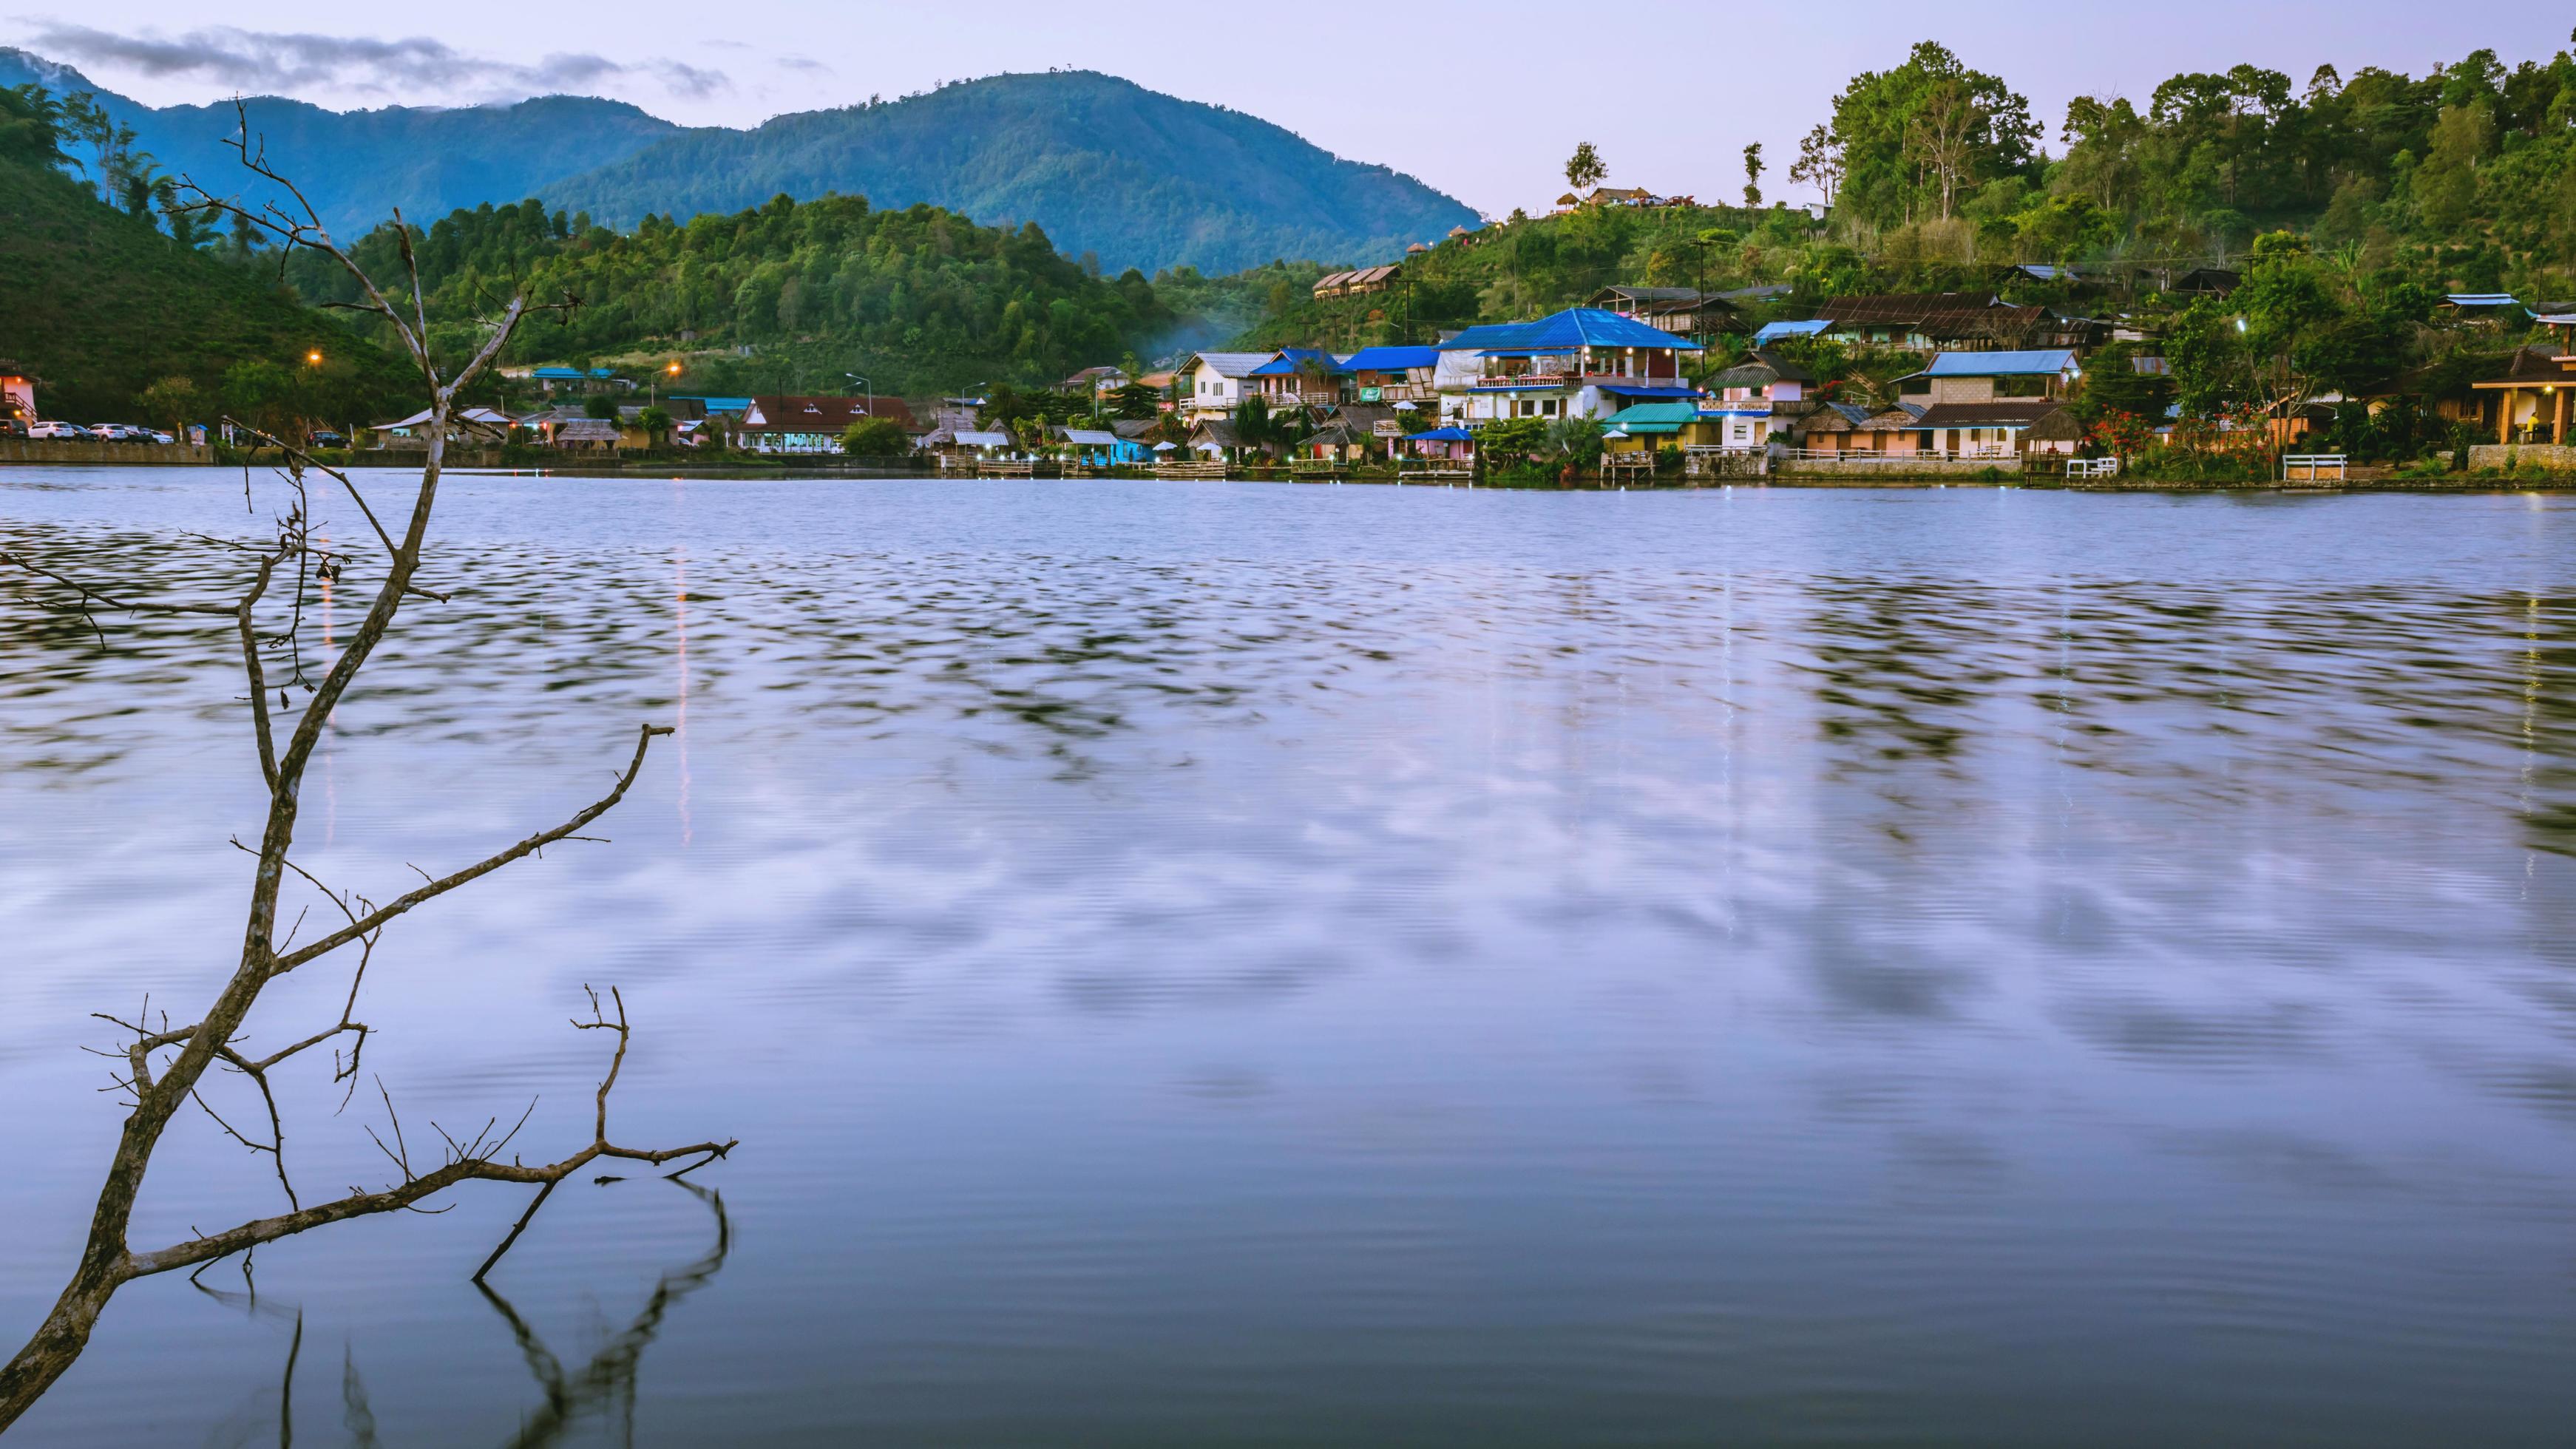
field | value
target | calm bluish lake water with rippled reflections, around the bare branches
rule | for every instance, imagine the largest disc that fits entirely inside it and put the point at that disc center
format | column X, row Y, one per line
column 1256, row 964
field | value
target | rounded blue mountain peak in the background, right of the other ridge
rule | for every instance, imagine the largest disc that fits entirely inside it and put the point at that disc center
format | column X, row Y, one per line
column 1101, row 163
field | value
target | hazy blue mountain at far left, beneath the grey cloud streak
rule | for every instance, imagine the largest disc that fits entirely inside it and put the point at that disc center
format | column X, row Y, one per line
column 359, row 166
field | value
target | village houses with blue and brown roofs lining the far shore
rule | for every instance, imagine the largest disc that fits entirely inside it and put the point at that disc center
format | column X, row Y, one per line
column 1640, row 382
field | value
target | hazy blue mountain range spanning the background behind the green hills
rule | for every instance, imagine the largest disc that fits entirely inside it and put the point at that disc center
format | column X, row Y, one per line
column 1099, row 163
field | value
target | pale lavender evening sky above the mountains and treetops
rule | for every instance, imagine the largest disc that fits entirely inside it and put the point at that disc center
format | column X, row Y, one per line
column 1477, row 99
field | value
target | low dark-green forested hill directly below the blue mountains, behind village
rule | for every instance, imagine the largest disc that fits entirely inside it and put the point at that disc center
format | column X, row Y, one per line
column 916, row 300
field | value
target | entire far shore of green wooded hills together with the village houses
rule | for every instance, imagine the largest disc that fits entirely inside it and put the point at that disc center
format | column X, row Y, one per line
column 2379, row 272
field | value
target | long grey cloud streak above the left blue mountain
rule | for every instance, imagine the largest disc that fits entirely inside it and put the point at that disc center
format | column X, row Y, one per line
column 298, row 60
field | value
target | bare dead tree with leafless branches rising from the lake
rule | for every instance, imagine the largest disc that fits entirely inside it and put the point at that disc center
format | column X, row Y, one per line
column 164, row 1067
